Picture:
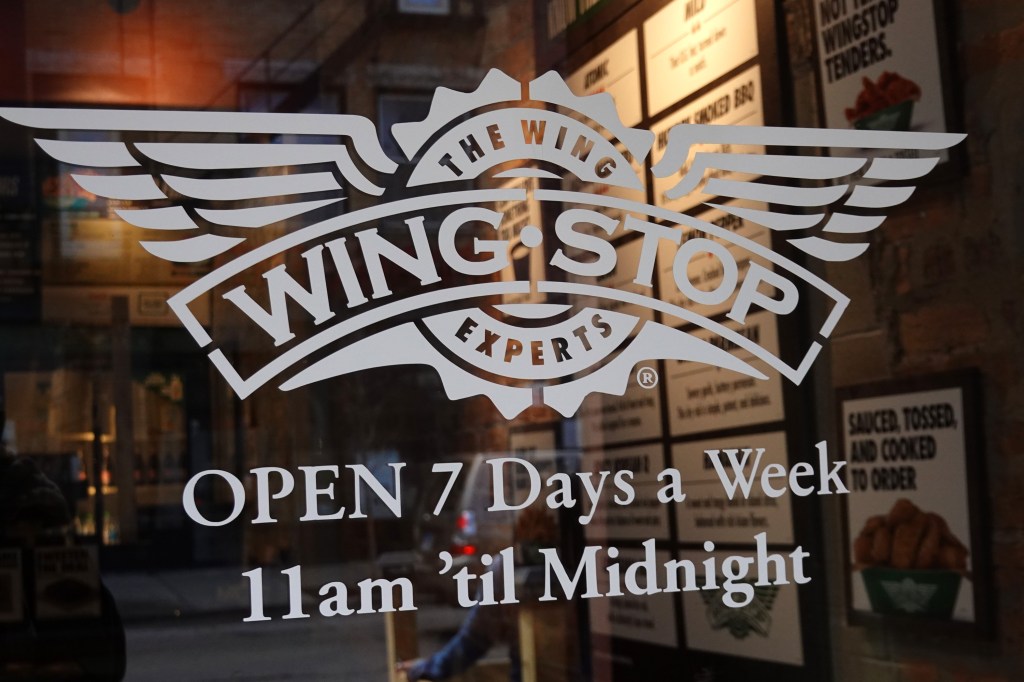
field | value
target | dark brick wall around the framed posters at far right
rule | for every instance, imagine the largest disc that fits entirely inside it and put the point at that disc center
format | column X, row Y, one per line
column 941, row 289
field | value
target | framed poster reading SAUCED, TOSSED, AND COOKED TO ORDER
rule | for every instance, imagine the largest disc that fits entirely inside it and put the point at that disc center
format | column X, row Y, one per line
column 914, row 546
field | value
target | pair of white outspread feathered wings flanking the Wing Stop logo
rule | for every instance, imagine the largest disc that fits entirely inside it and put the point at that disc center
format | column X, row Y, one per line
column 820, row 198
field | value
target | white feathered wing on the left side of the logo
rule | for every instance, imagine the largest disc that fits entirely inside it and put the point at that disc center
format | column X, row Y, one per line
column 201, row 188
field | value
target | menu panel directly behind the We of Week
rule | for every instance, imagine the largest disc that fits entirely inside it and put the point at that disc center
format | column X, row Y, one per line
column 708, row 514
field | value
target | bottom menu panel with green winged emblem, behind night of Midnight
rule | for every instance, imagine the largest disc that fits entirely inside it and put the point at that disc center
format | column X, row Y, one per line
column 766, row 629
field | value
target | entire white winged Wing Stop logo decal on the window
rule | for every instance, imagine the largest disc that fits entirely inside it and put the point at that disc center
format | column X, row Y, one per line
column 449, row 276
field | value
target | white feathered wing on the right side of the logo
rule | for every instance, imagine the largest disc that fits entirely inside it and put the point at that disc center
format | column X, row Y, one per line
column 839, row 195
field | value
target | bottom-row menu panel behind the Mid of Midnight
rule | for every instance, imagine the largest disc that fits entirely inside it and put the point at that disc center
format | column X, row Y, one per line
column 649, row 619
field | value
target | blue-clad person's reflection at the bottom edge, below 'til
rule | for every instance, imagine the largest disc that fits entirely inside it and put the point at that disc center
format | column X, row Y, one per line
column 485, row 627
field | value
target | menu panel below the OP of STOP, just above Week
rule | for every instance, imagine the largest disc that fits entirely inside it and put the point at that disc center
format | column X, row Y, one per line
column 703, row 398
